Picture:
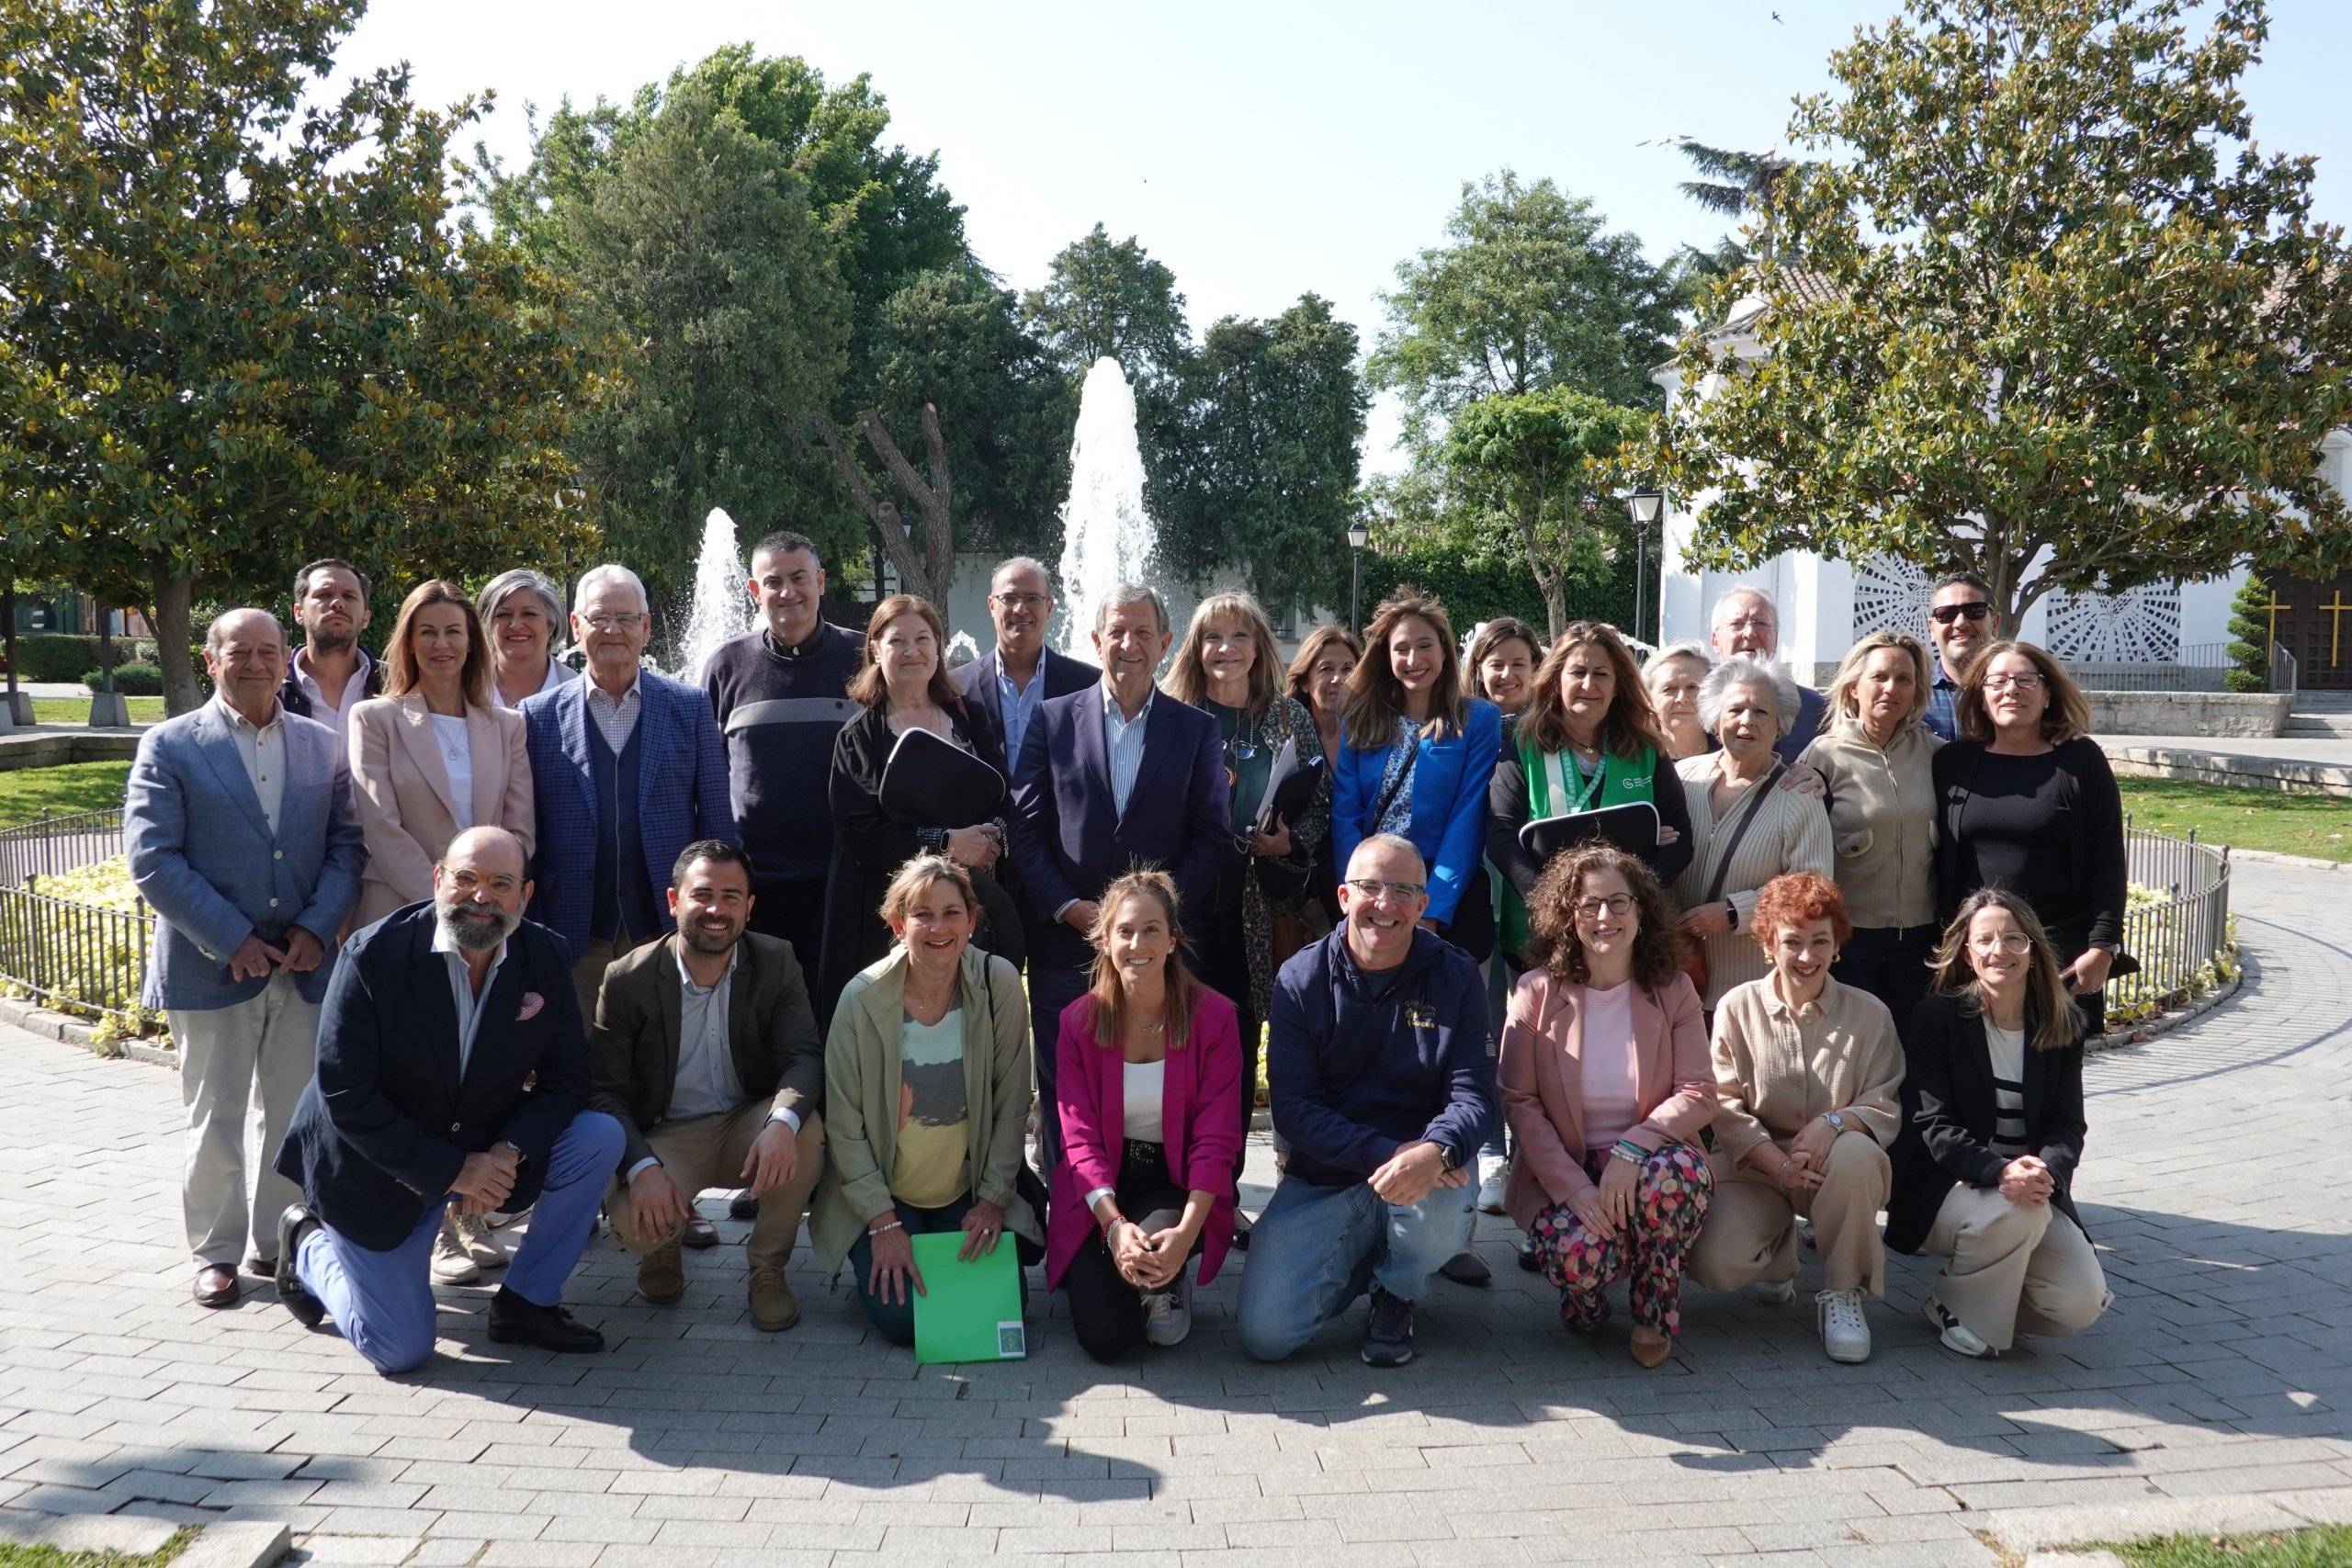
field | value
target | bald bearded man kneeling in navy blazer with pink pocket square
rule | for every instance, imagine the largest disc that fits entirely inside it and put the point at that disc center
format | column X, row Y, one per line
column 453, row 1068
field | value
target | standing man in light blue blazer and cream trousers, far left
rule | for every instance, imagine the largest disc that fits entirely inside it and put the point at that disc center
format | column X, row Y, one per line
column 243, row 840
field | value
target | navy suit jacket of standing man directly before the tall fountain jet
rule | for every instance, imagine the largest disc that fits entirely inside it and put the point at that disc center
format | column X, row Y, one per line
column 1067, row 838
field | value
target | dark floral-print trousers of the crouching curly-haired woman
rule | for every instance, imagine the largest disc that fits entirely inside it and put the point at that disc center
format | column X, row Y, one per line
column 1671, row 1200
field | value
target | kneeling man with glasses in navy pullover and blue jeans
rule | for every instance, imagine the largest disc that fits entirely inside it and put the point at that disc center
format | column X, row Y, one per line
column 1384, row 1087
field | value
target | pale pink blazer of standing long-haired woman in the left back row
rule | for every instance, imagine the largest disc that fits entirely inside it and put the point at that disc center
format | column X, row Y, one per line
column 403, row 793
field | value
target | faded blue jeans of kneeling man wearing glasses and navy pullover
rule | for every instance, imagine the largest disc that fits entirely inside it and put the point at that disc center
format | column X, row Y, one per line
column 1316, row 1249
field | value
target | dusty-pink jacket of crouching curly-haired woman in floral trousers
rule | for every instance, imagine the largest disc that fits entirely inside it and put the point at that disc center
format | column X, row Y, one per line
column 1542, row 1076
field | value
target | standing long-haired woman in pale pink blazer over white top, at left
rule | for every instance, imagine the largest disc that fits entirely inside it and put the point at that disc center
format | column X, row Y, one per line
column 434, row 756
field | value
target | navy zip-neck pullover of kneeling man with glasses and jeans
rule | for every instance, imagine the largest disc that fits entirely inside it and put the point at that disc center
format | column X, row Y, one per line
column 1361, row 1064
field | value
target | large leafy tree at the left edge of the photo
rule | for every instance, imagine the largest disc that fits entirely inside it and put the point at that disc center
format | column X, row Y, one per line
column 239, row 333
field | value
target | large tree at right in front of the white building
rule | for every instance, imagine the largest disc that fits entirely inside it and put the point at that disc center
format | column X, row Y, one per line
column 2047, row 316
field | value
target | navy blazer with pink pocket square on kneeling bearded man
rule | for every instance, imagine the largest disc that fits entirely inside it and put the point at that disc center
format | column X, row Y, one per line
column 387, row 1123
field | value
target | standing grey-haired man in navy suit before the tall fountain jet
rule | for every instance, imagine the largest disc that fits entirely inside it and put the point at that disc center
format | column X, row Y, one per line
column 1109, row 779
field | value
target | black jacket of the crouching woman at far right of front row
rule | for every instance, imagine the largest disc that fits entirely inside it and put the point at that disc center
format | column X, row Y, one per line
column 1949, row 1115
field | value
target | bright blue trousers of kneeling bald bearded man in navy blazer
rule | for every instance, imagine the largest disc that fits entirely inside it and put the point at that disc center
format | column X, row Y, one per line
column 385, row 1301
